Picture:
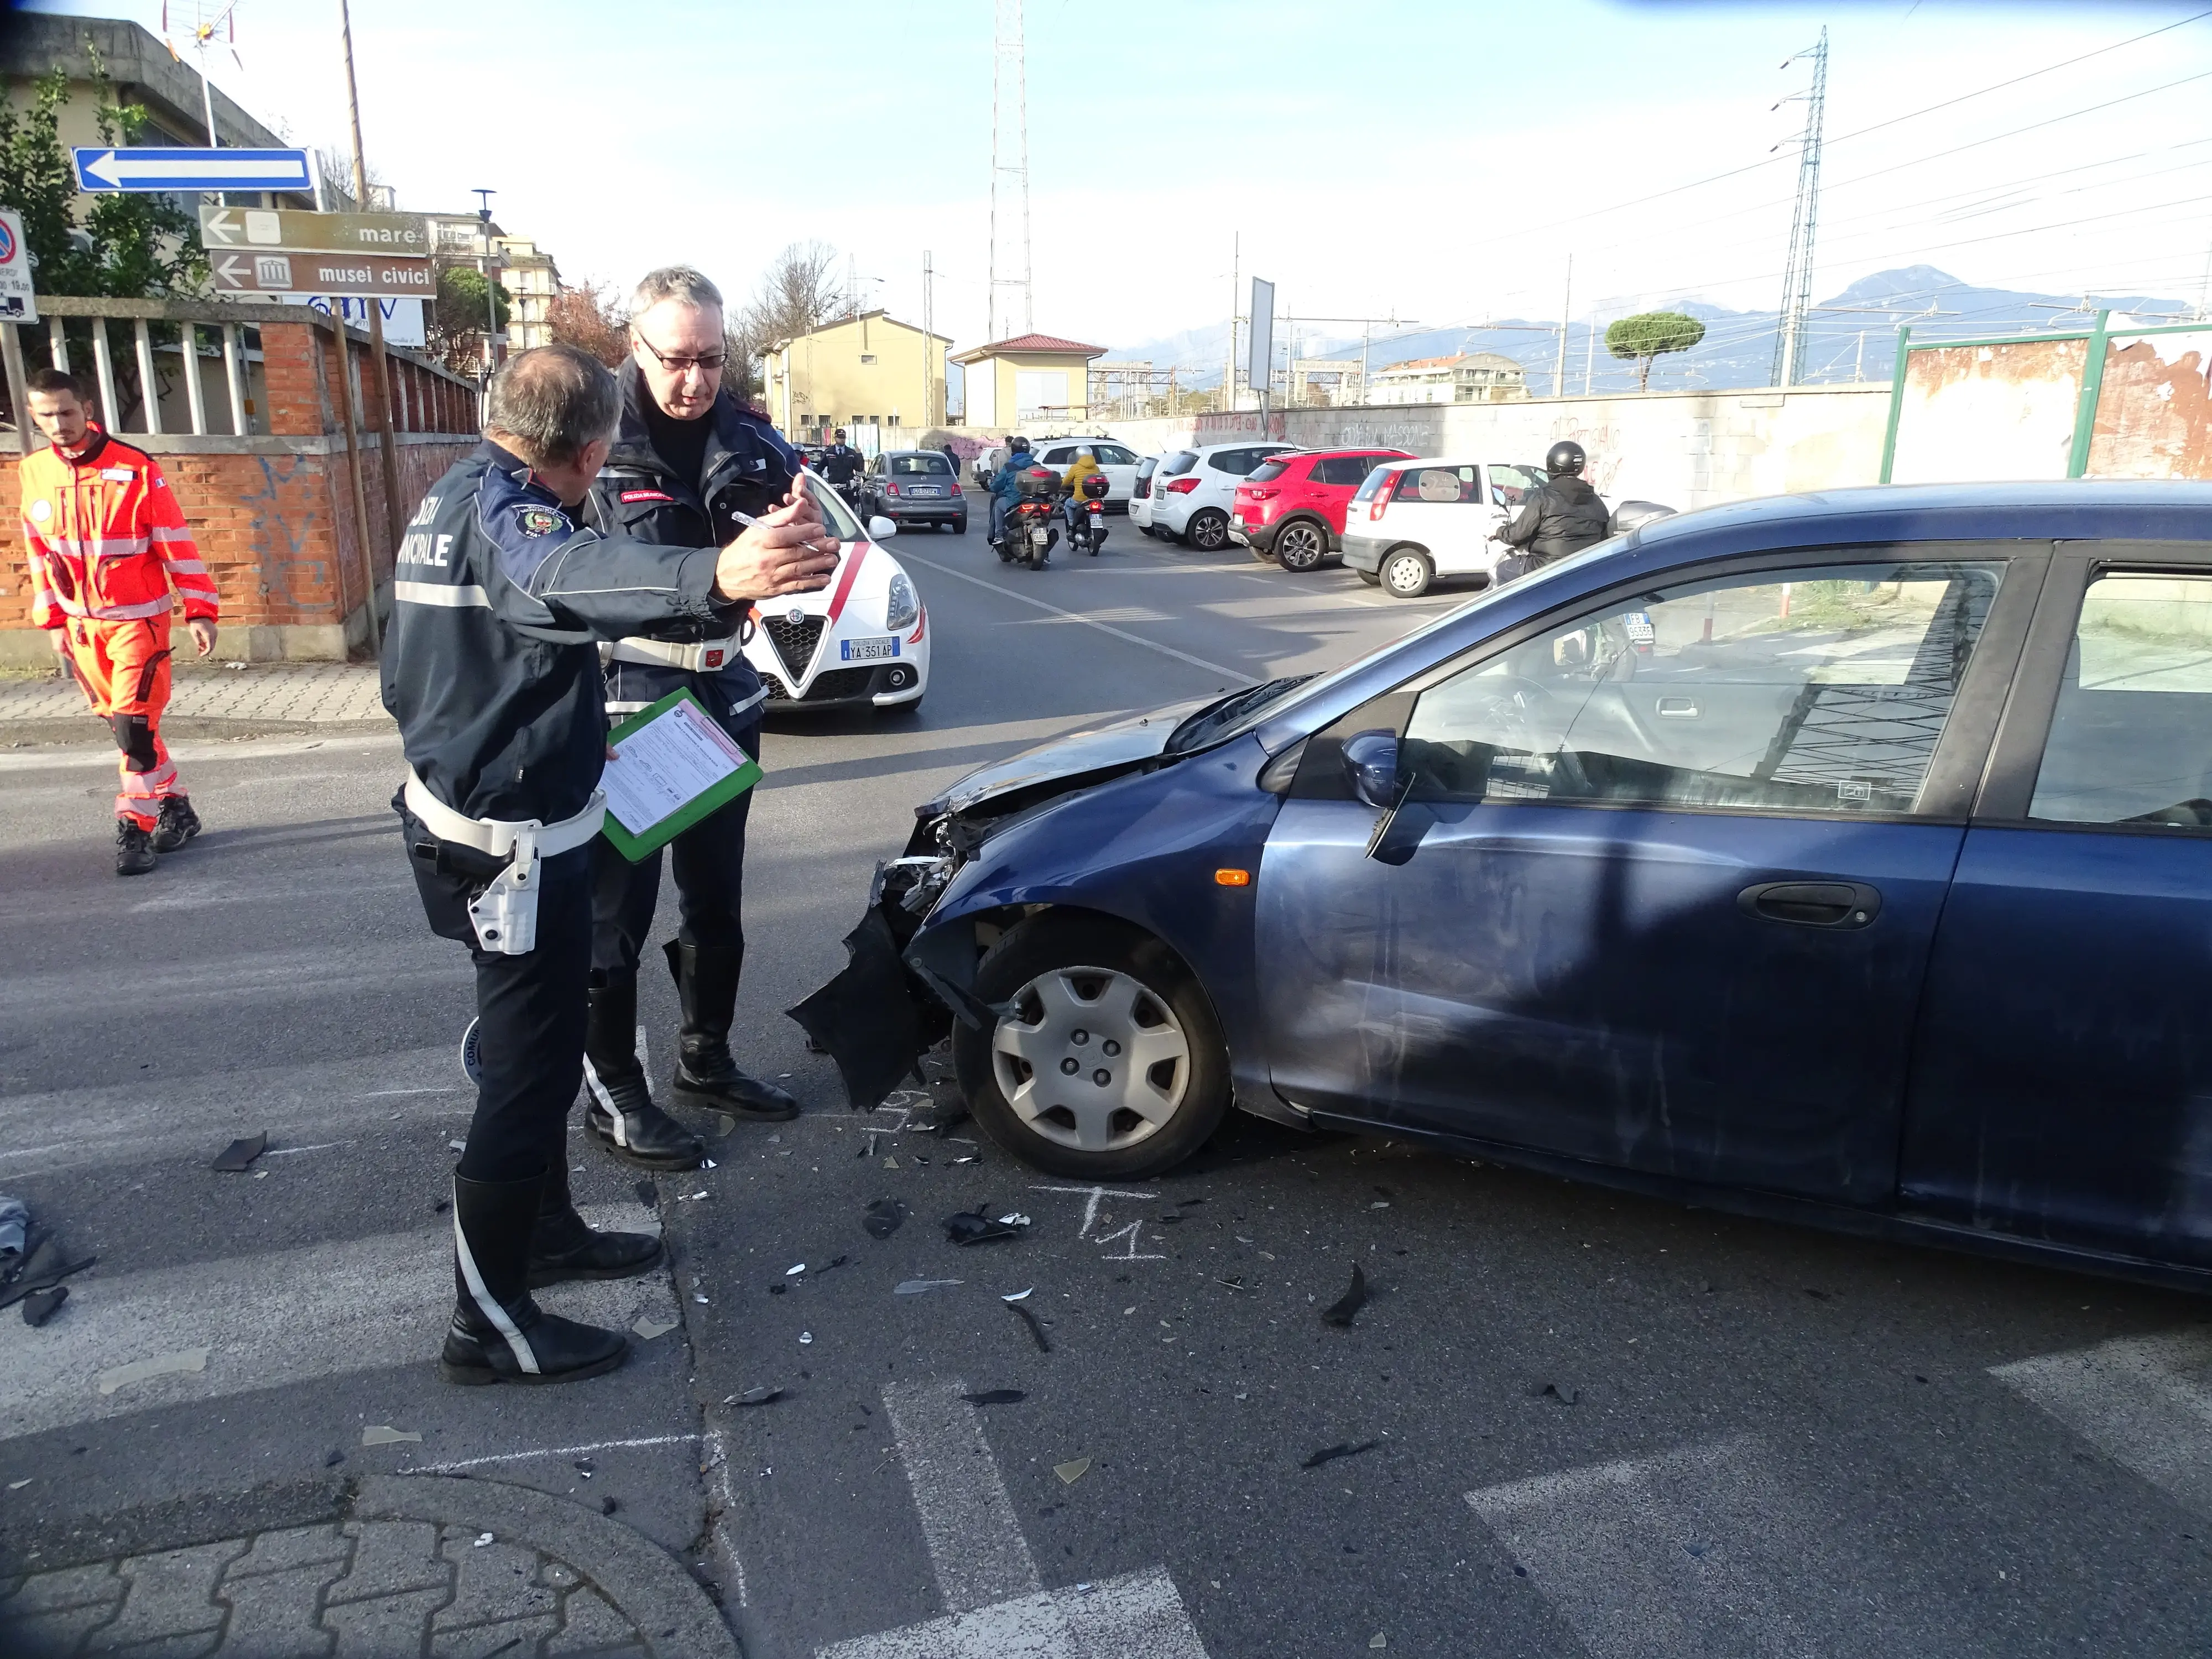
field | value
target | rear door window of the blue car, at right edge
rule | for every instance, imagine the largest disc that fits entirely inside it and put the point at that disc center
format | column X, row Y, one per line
column 2131, row 738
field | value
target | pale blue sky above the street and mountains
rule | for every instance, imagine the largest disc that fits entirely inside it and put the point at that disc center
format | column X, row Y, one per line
column 1428, row 158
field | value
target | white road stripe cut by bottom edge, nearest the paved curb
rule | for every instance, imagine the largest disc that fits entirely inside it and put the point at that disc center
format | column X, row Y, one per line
column 1138, row 1616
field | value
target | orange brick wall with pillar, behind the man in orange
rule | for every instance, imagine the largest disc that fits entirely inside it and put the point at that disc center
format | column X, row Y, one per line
column 273, row 514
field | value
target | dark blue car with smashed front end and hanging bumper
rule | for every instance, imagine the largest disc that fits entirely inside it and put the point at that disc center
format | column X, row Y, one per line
column 1839, row 857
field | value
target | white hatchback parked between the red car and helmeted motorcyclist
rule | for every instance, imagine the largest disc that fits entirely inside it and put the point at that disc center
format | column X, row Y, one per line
column 1417, row 521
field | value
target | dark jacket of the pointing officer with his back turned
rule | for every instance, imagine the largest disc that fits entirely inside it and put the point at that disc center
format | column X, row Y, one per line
column 492, row 662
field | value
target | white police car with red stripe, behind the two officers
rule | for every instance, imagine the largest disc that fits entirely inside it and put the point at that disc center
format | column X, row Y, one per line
column 859, row 643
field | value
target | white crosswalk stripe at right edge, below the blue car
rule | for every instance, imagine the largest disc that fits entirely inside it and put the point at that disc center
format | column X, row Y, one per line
column 2142, row 1401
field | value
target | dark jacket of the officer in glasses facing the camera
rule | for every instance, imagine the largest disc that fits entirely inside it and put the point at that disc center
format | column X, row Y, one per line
column 638, row 497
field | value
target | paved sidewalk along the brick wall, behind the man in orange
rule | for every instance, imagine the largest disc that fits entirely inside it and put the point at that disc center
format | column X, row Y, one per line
column 209, row 702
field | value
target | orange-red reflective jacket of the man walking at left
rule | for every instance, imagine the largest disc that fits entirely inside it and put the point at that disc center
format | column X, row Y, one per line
column 107, row 539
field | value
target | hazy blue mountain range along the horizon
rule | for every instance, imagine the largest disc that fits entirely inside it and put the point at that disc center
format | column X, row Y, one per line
column 1853, row 335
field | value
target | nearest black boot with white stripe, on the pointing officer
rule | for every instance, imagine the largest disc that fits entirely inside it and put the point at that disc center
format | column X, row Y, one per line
column 499, row 1335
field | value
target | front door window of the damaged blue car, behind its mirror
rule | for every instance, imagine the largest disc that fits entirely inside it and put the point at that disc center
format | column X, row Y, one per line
column 1813, row 691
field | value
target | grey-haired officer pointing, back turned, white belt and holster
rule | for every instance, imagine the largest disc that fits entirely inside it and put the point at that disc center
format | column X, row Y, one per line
column 492, row 674
